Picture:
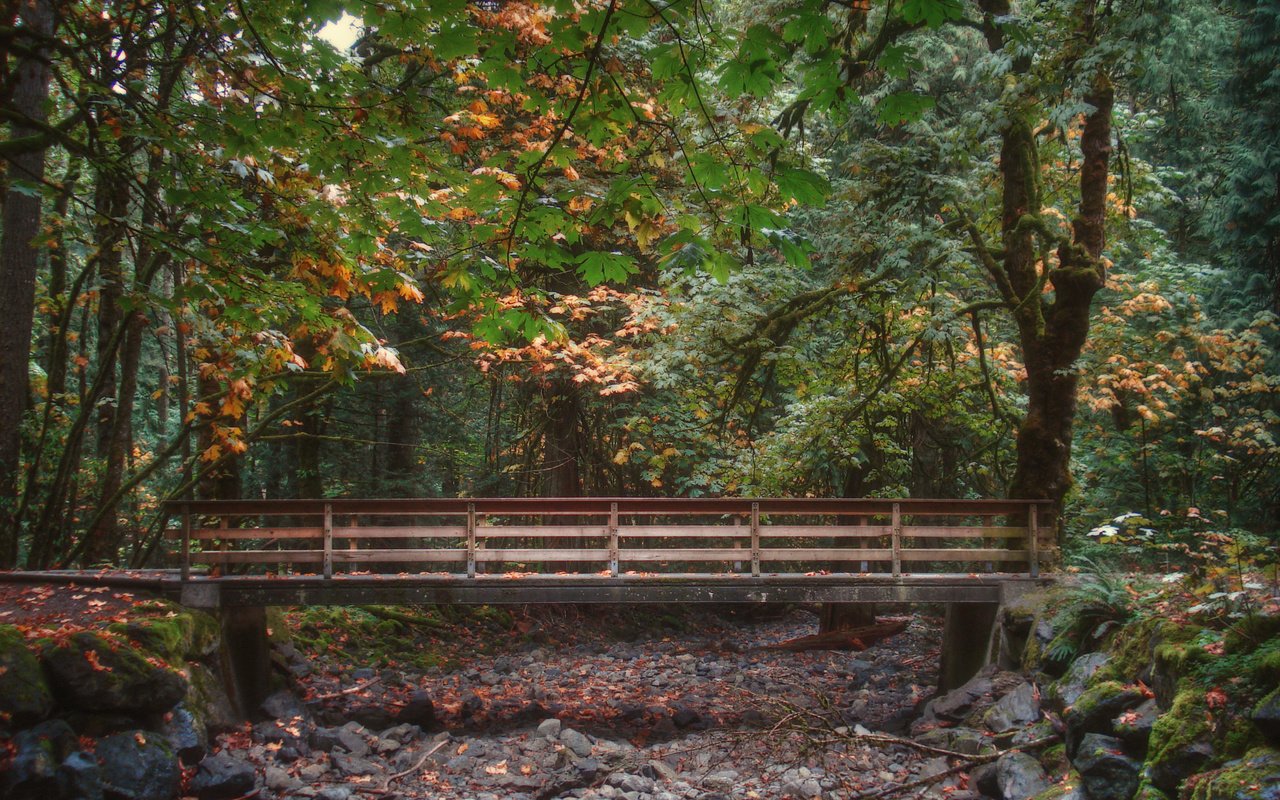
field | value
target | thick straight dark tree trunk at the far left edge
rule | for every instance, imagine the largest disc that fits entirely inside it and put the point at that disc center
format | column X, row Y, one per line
column 19, row 259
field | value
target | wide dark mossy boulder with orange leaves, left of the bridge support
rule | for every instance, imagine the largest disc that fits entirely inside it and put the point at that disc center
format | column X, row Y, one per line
column 98, row 675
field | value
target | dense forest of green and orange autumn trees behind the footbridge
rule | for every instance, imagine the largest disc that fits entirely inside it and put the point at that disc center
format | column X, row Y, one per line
column 639, row 248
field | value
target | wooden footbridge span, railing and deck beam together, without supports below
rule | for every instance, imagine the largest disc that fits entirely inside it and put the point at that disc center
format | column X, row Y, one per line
column 606, row 551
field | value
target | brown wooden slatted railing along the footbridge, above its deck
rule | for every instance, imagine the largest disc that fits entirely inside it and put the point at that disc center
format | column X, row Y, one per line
column 612, row 537
